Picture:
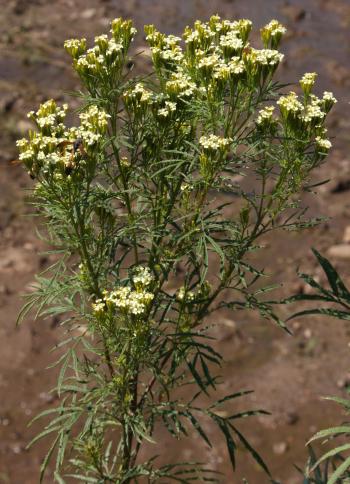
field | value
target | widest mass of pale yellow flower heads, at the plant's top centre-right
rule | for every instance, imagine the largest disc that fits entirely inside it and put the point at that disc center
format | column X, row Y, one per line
column 216, row 49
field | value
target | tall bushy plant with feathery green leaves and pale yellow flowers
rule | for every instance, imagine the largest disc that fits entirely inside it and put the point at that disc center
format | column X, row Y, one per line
column 145, row 205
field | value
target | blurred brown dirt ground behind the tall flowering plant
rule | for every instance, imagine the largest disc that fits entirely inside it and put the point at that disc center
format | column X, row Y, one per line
column 288, row 374
